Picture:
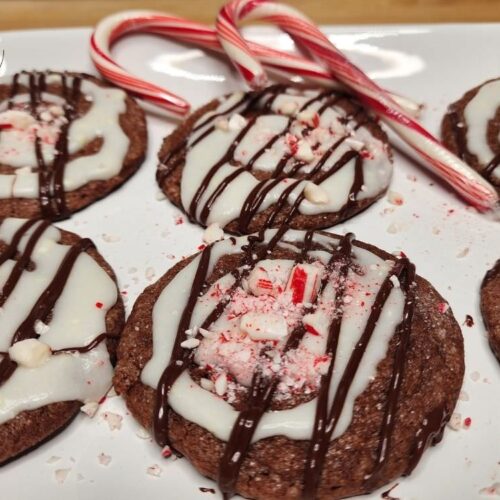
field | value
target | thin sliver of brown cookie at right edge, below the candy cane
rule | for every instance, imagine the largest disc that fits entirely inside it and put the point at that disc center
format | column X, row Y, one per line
column 490, row 306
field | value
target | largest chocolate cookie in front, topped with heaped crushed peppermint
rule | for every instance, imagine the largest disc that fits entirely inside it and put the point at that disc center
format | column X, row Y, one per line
column 241, row 379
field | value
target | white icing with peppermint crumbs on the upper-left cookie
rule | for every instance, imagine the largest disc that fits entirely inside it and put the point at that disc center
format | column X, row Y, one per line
column 101, row 121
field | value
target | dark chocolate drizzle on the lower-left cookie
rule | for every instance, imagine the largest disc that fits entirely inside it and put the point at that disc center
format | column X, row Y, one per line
column 48, row 298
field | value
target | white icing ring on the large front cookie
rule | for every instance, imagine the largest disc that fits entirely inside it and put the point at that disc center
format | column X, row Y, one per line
column 218, row 416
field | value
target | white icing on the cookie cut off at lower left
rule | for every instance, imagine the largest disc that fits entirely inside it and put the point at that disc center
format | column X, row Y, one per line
column 78, row 318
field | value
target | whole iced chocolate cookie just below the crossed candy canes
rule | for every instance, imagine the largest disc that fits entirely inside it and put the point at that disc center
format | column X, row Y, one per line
column 254, row 160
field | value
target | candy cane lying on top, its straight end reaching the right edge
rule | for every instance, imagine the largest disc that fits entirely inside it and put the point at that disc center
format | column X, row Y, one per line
column 468, row 183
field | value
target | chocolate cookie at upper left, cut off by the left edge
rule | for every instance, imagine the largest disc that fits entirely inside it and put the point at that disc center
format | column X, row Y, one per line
column 66, row 140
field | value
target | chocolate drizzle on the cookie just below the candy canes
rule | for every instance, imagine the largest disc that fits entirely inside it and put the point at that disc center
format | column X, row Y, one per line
column 253, row 105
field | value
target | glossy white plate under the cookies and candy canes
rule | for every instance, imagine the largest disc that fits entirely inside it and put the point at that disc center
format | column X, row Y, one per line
column 137, row 233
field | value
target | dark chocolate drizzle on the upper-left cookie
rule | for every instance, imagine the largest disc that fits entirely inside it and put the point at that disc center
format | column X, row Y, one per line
column 50, row 177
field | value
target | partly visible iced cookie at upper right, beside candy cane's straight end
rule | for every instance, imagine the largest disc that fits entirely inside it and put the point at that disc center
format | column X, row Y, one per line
column 471, row 129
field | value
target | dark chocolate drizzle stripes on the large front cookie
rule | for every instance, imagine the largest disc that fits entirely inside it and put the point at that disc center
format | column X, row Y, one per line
column 263, row 387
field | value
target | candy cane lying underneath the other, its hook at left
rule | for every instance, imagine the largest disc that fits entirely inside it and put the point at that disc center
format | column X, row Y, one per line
column 117, row 25
